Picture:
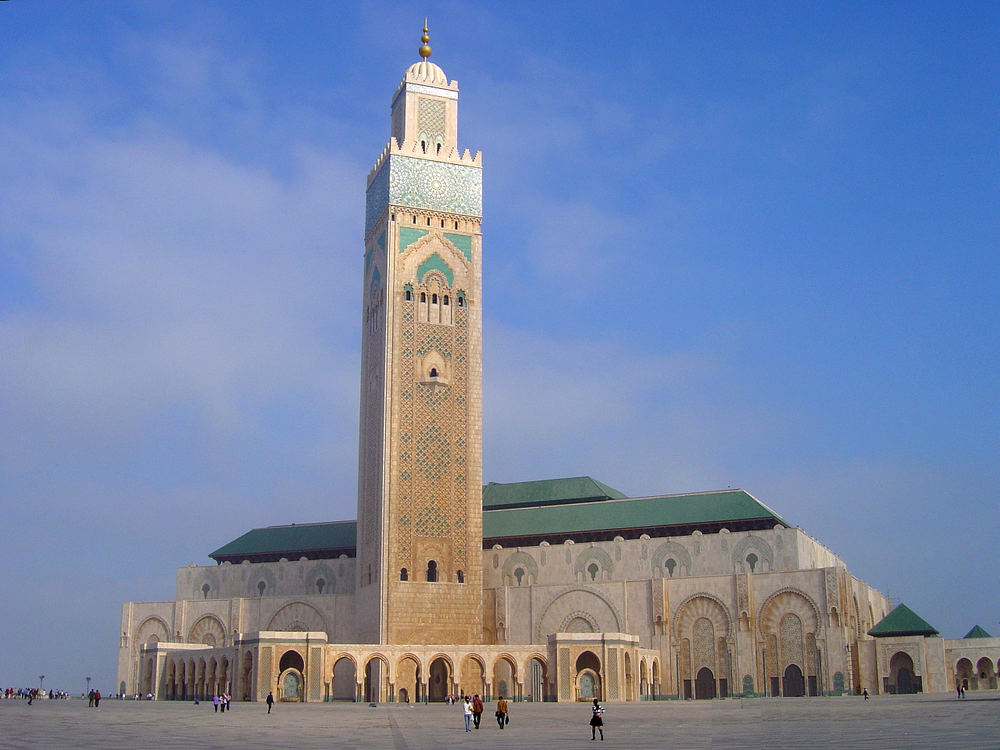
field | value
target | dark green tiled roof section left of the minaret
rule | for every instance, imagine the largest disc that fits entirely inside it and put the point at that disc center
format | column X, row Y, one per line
column 274, row 542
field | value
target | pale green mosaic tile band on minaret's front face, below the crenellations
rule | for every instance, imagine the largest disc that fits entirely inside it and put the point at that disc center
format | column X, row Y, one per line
column 433, row 185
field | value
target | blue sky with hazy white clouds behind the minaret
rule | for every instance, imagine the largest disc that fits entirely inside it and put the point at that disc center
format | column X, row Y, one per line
column 725, row 244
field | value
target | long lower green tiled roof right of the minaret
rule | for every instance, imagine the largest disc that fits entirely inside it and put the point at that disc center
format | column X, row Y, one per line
column 702, row 508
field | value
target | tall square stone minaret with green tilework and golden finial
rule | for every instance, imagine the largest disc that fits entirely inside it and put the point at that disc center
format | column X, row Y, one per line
column 420, row 458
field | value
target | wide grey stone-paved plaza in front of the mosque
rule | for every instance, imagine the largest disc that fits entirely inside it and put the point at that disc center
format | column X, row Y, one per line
column 930, row 722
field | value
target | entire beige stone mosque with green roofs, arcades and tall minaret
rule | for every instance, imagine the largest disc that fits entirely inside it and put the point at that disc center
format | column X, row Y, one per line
column 554, row 590
